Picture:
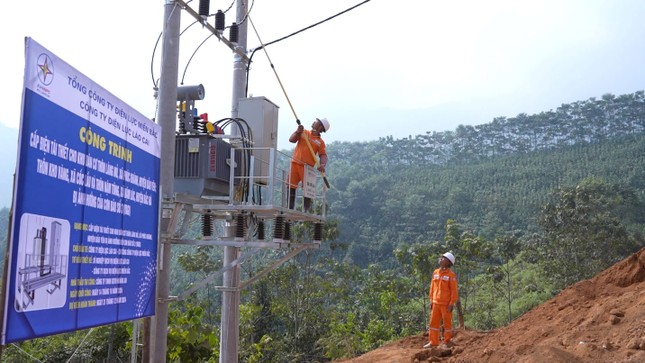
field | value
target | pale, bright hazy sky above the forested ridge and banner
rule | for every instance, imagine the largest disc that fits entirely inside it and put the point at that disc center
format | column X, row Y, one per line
column 386, row 68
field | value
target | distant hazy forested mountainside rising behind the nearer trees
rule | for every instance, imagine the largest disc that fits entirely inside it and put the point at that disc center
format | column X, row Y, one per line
column 493, row 177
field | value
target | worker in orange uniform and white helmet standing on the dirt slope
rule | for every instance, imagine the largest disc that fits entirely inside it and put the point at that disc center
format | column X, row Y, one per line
column 443, row 297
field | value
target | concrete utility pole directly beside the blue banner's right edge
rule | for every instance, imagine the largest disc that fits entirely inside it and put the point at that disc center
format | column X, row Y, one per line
column 167, row 116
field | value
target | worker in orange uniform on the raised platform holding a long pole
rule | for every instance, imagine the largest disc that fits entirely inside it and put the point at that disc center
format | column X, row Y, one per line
column 303, row 155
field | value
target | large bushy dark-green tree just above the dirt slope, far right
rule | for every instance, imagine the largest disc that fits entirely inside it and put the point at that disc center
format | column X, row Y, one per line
column 584, row 231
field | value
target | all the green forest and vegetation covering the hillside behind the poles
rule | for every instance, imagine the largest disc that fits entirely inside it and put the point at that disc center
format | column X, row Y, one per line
column 528, row 204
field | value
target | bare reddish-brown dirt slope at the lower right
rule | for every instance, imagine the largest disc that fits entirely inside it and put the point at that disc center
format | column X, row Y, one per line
column 596, row 320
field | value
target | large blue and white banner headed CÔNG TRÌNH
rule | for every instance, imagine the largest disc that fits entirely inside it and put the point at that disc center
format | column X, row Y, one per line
column 83, row 241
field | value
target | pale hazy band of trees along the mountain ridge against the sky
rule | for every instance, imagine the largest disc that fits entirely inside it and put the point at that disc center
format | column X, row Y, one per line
column 582, row 122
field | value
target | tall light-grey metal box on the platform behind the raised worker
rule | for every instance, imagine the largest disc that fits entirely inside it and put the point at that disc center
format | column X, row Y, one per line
column 262, row 117
